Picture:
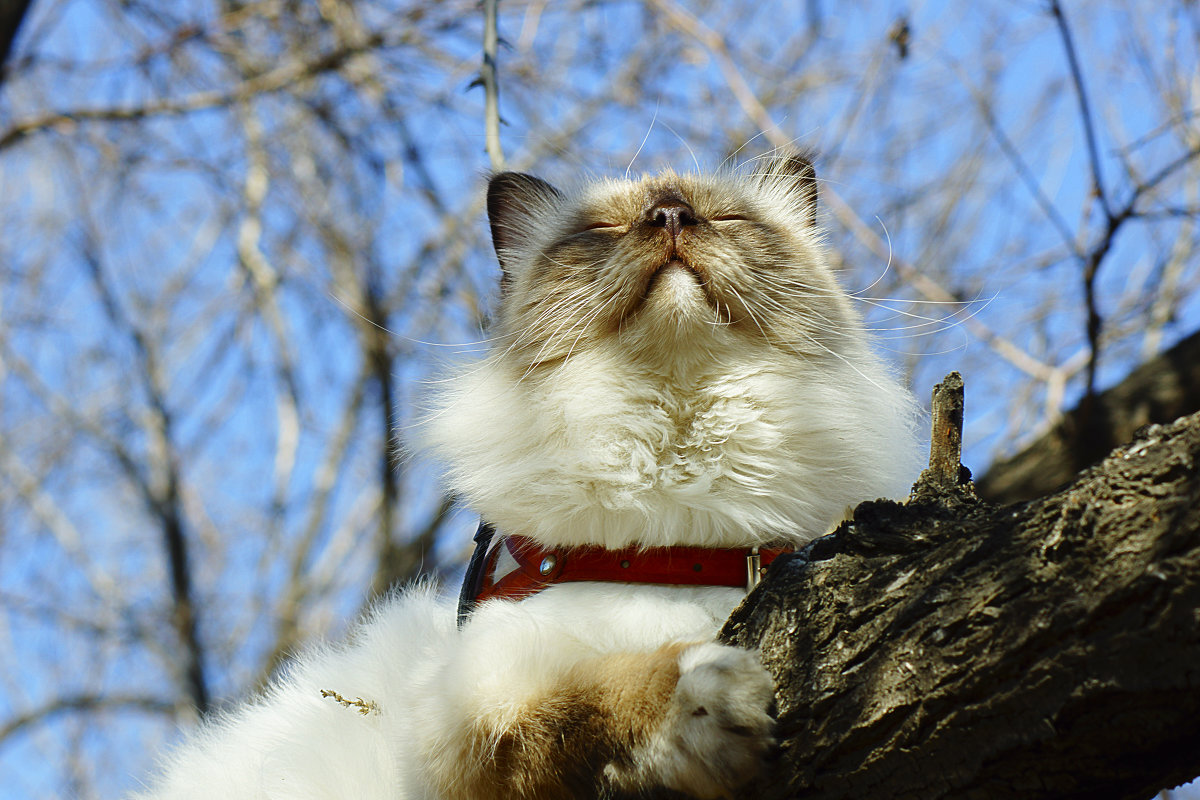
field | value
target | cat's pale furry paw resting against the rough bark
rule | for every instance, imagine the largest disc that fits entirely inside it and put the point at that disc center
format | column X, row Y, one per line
column 718, row 727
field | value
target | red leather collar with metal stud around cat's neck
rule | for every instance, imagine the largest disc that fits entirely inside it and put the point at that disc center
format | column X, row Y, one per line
column 529, row 568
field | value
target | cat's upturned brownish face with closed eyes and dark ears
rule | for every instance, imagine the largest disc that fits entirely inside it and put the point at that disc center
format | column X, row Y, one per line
column 667, row 266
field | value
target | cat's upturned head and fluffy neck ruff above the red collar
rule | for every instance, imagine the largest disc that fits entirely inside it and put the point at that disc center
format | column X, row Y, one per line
column 631, row 402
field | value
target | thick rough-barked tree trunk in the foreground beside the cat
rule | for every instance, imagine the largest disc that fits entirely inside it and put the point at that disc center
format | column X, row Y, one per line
column 949, row 648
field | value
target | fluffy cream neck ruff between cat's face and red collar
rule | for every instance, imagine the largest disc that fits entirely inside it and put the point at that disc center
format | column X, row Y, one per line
column 741, row 450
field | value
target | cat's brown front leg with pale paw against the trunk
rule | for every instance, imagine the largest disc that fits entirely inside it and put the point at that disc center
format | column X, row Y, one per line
column 691, row 718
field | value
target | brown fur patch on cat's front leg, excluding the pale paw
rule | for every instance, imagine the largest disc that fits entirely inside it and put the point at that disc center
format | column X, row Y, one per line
column 557, row 748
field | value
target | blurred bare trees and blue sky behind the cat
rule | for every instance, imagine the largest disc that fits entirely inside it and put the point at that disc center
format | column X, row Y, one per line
column 237, row 237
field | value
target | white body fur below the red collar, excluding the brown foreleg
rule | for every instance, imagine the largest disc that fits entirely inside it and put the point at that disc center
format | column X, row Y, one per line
column 429, row 682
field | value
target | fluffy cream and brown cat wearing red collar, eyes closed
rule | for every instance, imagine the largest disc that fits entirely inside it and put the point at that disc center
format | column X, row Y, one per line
column 676, row 382
